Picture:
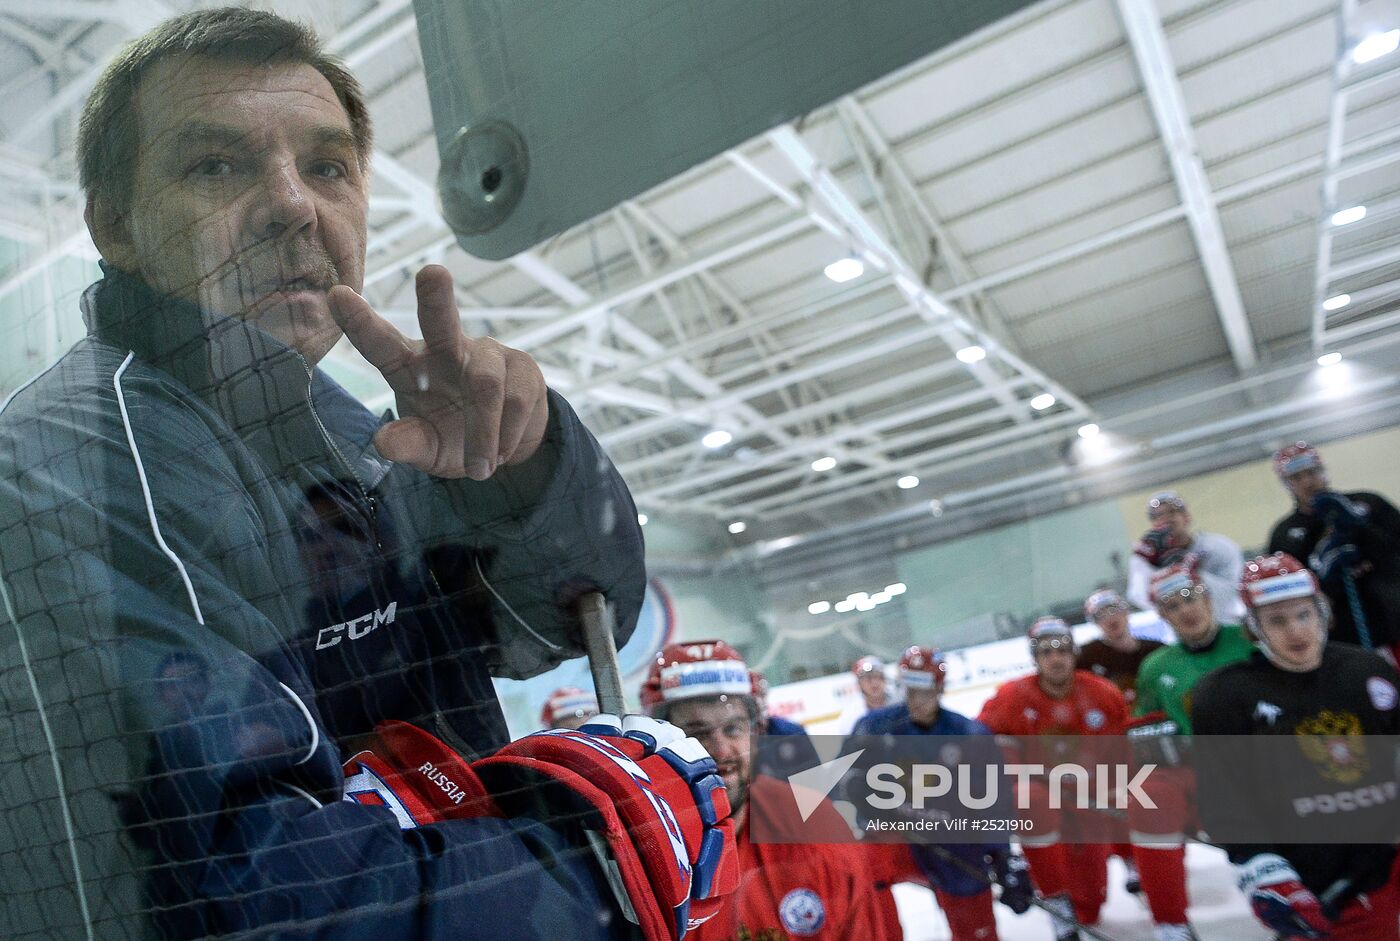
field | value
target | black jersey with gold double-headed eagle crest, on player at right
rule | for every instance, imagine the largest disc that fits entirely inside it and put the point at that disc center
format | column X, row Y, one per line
column 1353, row 694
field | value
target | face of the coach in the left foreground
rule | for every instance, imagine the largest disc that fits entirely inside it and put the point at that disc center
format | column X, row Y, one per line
column 248, row 195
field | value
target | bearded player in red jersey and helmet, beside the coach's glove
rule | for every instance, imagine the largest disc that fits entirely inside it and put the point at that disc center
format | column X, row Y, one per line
column 786, row 890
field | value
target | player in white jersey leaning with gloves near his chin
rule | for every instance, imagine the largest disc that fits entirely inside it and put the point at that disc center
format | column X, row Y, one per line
column 1171, row 541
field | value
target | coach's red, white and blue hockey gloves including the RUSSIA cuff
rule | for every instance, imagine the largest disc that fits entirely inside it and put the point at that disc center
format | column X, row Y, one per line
column 649, row 800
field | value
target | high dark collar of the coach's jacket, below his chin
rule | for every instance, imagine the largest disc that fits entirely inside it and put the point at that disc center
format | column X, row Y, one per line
column 260, row 386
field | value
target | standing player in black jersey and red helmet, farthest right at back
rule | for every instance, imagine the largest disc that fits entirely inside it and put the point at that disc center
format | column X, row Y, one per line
column 1352, row 541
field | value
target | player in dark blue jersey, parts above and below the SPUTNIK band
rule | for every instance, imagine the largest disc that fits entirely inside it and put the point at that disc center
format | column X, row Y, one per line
column 953, row 870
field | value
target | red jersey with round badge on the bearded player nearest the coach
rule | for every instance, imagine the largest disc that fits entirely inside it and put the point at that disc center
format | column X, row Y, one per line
column 824, row 891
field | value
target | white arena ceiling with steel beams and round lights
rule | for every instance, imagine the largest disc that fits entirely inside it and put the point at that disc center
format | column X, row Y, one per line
column 1114, row 214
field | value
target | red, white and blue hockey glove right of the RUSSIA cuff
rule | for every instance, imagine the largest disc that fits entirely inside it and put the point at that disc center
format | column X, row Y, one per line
column 650, row 802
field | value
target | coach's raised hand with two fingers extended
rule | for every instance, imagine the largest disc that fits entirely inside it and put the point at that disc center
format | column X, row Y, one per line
column 467, row 405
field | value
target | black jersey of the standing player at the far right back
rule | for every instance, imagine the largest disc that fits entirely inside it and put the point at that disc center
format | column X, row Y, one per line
column 1378, row 583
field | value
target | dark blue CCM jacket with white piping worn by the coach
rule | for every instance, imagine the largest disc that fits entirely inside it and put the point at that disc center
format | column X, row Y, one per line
column 213, row 586
